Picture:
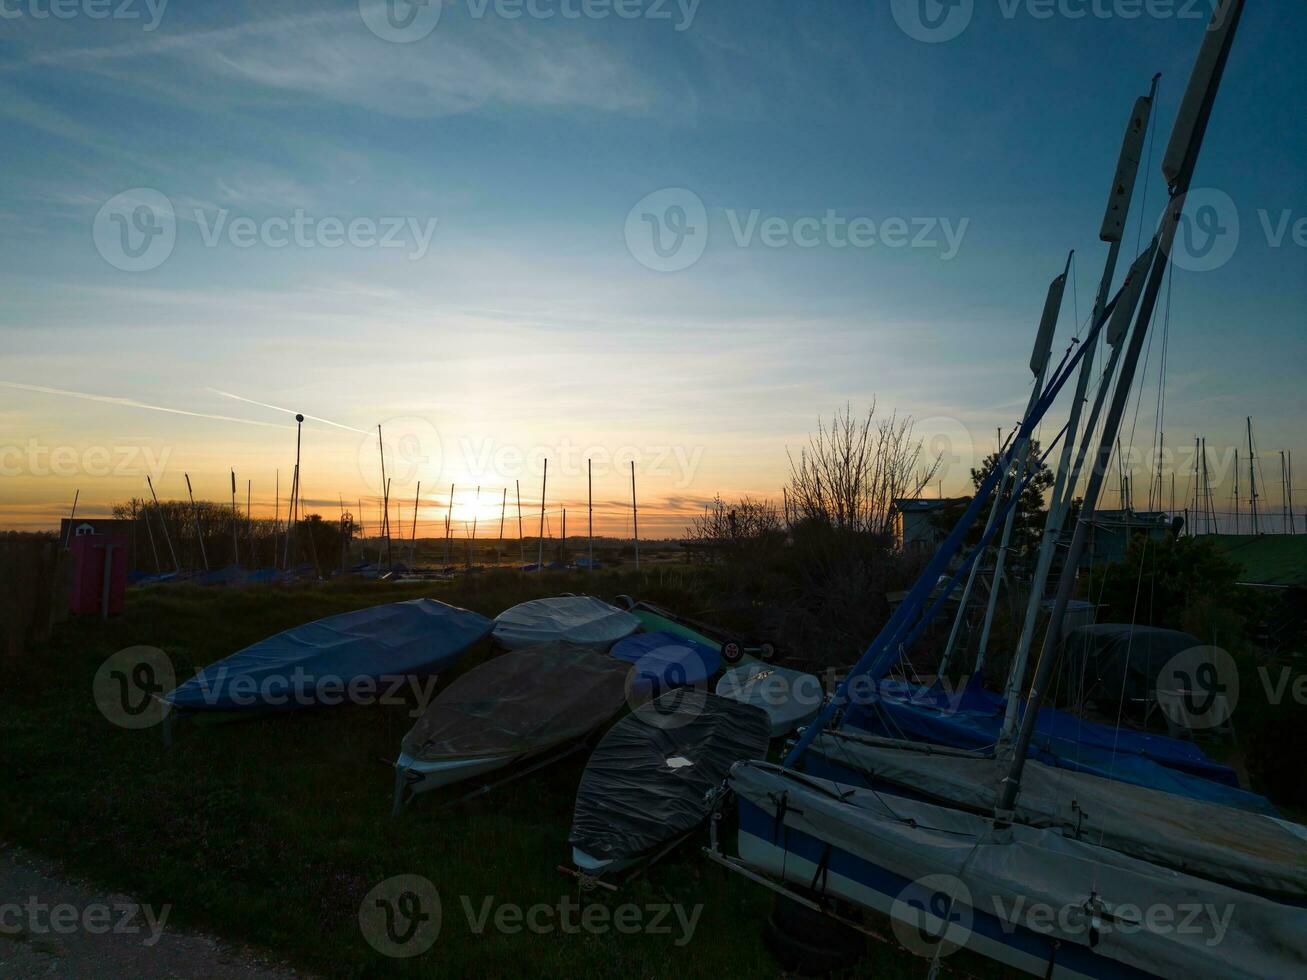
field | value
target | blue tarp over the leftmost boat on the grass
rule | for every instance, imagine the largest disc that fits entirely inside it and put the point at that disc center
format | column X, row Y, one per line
column 317, row 663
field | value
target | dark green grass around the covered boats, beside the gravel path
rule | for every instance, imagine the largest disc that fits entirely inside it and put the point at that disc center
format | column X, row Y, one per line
column 273, row 830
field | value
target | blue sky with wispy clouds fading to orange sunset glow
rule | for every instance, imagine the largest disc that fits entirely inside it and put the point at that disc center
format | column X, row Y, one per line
column 669, row 233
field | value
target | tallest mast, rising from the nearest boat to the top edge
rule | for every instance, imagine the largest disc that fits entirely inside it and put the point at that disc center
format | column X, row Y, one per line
column 1178, row 167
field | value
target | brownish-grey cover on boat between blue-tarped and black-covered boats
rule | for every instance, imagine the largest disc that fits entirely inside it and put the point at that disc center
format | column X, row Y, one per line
column 521, row 704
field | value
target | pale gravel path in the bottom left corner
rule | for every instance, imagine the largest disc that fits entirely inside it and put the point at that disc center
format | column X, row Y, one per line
column 57, row 927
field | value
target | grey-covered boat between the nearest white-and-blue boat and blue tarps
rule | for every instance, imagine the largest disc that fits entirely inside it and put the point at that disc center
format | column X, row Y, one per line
column 1246, row 851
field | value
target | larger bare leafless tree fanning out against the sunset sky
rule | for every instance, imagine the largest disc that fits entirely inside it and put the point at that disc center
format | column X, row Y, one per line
column 853, row 471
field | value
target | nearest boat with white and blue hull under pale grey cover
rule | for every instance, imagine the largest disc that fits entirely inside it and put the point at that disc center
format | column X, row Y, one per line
column 1025, row 897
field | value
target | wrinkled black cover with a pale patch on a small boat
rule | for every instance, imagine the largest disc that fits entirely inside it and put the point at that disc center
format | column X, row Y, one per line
column 648, row 782
